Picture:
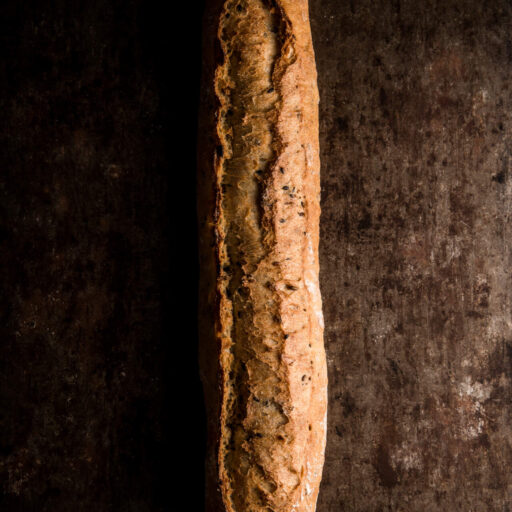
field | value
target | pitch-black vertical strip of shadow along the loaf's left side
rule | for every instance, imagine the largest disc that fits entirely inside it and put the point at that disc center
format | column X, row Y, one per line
column 174, row 50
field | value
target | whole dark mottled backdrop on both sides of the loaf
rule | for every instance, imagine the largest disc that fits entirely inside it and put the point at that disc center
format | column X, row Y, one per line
column 100, row 401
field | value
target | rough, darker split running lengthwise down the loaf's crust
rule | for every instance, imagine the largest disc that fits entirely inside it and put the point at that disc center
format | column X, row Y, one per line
column 254, row 384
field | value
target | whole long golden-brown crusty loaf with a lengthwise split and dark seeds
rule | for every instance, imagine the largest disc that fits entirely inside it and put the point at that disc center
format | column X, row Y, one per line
column 262, row 357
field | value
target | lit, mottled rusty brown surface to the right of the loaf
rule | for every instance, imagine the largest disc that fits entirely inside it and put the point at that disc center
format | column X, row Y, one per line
column 415, row 253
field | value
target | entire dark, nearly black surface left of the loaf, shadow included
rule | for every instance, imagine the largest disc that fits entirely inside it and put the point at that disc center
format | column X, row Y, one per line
column 100, row 401
